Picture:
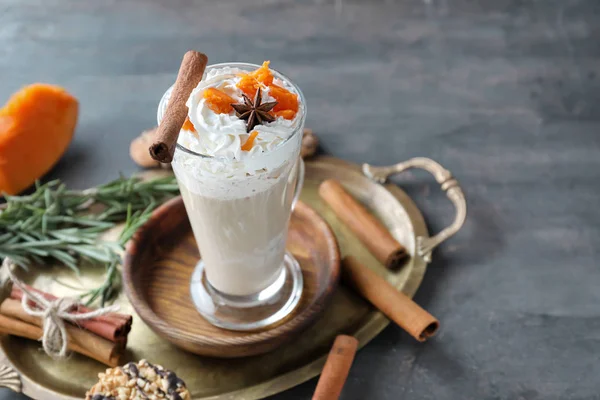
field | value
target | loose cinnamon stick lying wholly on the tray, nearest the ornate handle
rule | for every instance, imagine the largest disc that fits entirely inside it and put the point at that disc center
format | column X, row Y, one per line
column 365, row 226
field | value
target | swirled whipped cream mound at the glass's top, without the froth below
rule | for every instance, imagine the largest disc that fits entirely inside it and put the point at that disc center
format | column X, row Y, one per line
column 222, row 135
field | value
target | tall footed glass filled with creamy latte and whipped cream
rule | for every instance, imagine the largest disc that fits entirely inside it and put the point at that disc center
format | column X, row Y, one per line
column 239, row 192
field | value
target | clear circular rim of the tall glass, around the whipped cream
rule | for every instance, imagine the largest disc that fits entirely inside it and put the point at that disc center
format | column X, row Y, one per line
column 277, row 74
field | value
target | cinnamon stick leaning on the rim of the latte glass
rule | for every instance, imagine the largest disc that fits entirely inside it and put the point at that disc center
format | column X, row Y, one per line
column 190, row 74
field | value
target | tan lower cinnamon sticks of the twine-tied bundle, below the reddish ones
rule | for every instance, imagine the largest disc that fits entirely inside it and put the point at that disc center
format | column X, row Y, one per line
column 15, row 321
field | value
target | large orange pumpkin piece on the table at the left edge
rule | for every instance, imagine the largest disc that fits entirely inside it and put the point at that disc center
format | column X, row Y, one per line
column 36, row 126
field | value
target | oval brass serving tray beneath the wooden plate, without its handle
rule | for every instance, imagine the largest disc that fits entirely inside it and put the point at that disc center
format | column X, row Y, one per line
column 253, row 377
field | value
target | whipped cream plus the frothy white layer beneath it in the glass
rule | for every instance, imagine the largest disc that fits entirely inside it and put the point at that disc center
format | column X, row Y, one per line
column 229, row 172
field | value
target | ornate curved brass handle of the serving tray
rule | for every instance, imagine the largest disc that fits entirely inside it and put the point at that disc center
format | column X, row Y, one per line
column 425, row 245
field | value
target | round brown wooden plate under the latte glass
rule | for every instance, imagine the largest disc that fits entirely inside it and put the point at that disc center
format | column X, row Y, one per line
column 161, row 257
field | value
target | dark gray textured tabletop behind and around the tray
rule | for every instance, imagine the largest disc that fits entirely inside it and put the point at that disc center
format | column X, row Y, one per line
column 504, row 93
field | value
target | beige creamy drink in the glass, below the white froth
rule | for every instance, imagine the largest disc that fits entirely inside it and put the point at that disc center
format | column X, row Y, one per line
column 242, row 233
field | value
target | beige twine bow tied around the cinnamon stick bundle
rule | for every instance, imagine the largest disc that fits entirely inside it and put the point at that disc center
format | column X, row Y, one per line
column 53, row 313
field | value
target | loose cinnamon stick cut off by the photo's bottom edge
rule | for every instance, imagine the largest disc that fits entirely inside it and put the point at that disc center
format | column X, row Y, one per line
column 336, row 369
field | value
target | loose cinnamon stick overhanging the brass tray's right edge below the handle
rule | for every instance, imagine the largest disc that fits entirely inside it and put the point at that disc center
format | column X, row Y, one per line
column 394, row 304
